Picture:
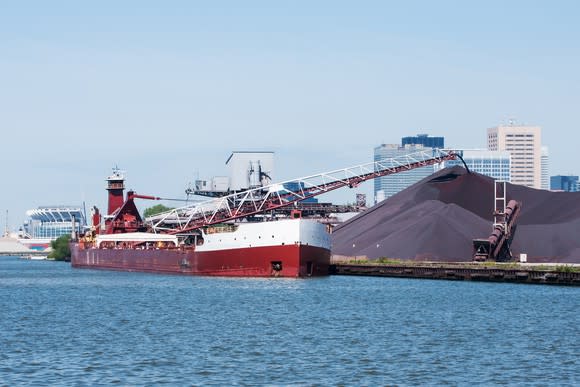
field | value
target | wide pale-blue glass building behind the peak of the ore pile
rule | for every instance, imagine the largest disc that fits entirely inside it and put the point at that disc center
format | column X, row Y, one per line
column 496, row 164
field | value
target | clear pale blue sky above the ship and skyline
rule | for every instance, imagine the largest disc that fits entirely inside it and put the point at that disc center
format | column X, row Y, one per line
column 167, row 89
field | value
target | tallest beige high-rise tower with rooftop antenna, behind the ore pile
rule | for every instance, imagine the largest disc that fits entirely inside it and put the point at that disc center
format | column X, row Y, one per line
column 524, row 144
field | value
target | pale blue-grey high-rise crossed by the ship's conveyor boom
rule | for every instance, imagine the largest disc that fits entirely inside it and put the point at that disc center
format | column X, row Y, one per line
column 387, row 186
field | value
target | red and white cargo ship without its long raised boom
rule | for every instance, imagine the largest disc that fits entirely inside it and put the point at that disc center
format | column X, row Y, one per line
column 294, row 247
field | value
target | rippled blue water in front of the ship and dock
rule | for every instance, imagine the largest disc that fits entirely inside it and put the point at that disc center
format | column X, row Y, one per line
column 81, row 327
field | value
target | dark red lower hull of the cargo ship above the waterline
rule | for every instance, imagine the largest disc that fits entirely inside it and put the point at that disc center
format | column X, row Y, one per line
column 295, row 260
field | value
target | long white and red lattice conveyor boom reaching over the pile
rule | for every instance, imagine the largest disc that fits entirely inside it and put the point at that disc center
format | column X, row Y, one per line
column 263, row 199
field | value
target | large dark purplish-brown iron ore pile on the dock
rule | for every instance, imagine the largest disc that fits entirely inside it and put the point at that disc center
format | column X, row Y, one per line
column 437, row 219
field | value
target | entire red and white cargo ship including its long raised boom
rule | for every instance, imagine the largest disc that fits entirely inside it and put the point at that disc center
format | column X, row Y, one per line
column 218, row 238
